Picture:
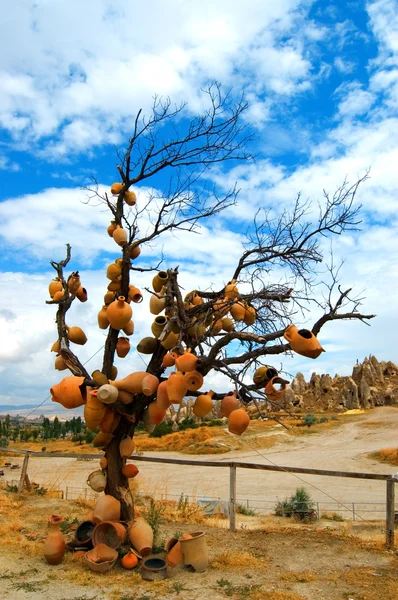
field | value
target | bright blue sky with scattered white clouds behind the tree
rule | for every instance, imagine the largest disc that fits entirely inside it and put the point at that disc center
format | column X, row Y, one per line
column 322, row 82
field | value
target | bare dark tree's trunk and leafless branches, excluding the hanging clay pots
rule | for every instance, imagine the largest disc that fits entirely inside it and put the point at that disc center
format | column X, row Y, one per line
column 186, row 150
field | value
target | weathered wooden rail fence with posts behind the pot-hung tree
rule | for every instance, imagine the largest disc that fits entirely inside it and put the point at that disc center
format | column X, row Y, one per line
column 390, row 480
